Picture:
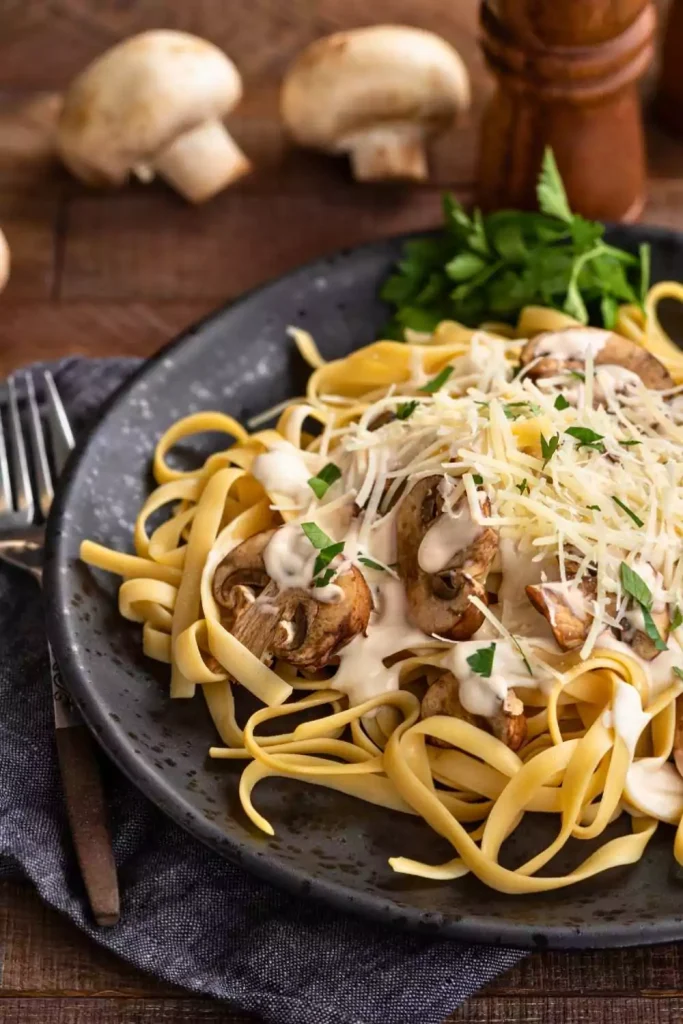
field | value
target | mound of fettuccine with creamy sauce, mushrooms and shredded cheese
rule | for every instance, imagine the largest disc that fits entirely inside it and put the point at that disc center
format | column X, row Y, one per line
column 461, row 558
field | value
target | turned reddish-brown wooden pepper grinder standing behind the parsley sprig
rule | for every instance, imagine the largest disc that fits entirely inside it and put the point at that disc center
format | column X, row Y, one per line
column 567, row 74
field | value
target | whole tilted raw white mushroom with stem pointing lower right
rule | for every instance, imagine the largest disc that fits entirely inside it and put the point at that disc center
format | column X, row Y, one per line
column 155, row 105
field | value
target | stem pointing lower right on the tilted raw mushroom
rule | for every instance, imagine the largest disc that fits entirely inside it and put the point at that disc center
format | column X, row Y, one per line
column 202, row 162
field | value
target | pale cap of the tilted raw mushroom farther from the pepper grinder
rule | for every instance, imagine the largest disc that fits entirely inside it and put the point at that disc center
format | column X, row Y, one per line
column 136, row 99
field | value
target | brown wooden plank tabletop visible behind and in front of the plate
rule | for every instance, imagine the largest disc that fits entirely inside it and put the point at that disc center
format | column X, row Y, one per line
column 112, row 274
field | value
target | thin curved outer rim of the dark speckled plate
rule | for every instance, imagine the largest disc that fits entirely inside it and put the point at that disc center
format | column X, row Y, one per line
column 117, row 746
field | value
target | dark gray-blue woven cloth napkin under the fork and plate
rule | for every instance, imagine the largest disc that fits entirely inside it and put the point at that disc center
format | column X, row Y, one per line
column 188, row 916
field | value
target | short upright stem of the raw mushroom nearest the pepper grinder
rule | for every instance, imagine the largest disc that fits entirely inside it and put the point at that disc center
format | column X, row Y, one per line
column 389, row 152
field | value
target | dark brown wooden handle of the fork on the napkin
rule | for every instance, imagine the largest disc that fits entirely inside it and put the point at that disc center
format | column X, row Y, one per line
column 87, row 809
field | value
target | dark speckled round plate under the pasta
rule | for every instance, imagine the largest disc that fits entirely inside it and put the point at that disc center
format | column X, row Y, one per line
column 327, row 846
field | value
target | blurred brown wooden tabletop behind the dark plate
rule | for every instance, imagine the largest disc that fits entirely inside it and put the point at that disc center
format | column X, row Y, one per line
column 122, row 272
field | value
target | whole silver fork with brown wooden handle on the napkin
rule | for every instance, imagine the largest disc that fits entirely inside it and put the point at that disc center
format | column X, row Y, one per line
column 23, row 515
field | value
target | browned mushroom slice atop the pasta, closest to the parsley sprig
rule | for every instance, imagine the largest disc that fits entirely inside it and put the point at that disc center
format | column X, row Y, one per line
column 557, row 352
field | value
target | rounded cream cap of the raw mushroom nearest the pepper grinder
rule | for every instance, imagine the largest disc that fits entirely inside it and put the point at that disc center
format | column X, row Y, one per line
column 358, row 80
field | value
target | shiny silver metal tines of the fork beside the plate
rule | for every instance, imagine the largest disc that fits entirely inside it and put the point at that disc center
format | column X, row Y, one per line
column 18, row 501
